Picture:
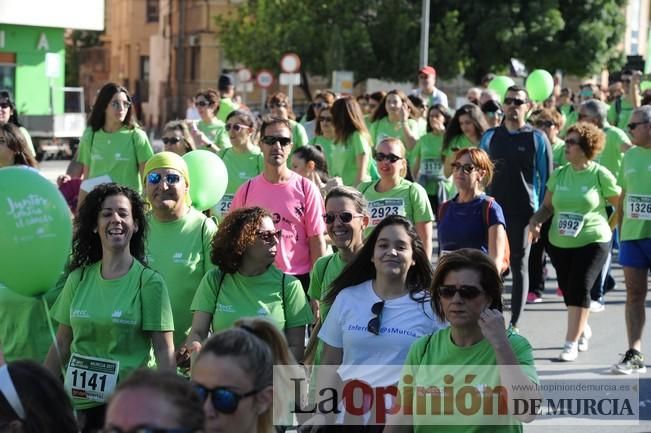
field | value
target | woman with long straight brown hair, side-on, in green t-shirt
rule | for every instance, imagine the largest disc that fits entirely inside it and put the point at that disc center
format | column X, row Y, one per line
column 351, row 152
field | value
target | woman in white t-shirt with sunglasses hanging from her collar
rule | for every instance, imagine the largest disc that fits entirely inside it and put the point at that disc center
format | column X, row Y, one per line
column 379, row 307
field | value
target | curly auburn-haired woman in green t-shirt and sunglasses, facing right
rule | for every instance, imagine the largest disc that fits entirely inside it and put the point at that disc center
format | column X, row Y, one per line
column 245, row 283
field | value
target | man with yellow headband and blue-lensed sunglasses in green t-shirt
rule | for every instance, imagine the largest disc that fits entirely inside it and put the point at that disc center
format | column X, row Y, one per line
column 179, row 237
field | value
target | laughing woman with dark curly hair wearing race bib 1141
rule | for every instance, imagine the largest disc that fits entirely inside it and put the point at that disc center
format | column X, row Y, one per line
column 113, row 309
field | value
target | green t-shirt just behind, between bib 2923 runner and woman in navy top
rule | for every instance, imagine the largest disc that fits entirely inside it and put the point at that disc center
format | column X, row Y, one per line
column 430, row 171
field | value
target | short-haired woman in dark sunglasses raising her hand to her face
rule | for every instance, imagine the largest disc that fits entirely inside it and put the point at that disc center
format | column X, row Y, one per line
column 474, row 351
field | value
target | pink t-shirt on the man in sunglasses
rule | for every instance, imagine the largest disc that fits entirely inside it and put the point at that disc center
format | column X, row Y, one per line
column 297, row 209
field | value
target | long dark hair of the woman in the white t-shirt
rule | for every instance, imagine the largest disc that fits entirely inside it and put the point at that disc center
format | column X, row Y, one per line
column 361, row 268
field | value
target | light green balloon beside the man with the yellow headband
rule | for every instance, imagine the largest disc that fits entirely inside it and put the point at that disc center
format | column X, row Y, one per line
column 208, row 178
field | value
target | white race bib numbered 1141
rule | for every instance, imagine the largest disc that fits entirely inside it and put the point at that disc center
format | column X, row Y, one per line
column 91, row 378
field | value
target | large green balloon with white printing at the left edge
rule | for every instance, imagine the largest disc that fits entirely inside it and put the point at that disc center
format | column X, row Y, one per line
column 35, row 231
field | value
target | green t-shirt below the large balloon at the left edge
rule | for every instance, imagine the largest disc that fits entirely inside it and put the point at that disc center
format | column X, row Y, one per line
column 24, row 330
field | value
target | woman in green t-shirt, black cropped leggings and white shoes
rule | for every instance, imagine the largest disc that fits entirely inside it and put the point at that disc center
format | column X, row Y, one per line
column 580, row 233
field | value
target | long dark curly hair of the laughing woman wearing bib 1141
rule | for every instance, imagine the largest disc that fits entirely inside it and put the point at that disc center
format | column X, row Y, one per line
column 86, row 243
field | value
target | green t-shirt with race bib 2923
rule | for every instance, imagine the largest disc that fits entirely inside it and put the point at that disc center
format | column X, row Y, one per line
column 407, row 199
